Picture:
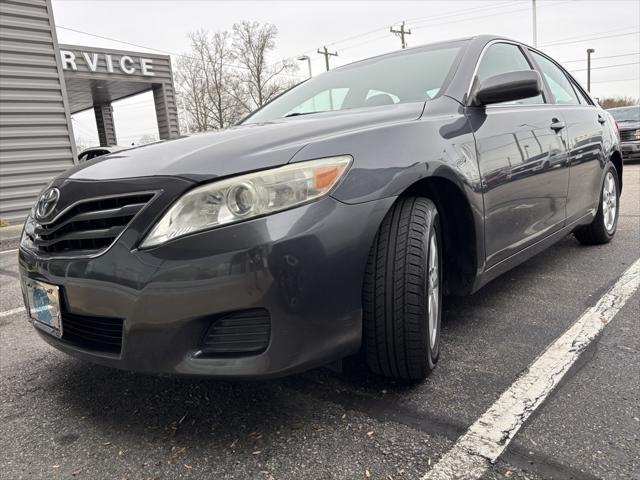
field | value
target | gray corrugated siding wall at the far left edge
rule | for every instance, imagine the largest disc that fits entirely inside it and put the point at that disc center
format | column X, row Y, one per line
column 35, row 131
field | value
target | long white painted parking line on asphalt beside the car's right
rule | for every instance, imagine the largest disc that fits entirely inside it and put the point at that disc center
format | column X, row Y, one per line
column 486, row 439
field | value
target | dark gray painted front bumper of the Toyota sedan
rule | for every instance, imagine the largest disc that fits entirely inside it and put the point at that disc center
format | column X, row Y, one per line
column 305, row 266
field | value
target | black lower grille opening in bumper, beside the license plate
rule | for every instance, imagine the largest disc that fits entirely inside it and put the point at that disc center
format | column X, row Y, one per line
column 101, row 334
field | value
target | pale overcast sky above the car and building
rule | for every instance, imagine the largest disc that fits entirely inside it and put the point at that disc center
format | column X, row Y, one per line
column 358, row 29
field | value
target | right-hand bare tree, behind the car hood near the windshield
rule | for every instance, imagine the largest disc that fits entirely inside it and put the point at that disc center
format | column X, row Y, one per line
column 257, row 82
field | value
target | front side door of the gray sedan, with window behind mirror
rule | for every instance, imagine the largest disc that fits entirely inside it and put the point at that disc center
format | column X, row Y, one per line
column 522, row 160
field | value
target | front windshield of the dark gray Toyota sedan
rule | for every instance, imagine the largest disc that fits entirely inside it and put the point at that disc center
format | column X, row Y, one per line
column 411, row 76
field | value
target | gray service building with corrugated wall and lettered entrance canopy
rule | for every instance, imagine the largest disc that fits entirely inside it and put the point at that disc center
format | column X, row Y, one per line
column 43, row 83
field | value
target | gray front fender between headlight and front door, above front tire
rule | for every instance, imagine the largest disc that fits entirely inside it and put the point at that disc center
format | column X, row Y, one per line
column 389, row 158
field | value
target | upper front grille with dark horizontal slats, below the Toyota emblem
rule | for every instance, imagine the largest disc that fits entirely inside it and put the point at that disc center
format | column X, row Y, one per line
column 88, row 227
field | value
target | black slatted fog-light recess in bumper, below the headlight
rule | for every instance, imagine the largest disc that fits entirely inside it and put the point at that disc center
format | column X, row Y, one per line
column 245, row 332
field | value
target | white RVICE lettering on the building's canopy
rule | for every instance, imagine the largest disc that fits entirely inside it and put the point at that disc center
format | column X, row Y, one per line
column 106, row 63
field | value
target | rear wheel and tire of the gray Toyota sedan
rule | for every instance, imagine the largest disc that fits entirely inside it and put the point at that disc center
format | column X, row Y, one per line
column 605, row 223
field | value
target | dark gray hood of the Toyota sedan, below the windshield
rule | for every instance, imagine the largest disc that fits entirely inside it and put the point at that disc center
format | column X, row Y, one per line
column 238, row 149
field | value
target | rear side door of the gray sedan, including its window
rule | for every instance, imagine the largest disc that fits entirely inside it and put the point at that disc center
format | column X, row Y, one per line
column 585, row 129
